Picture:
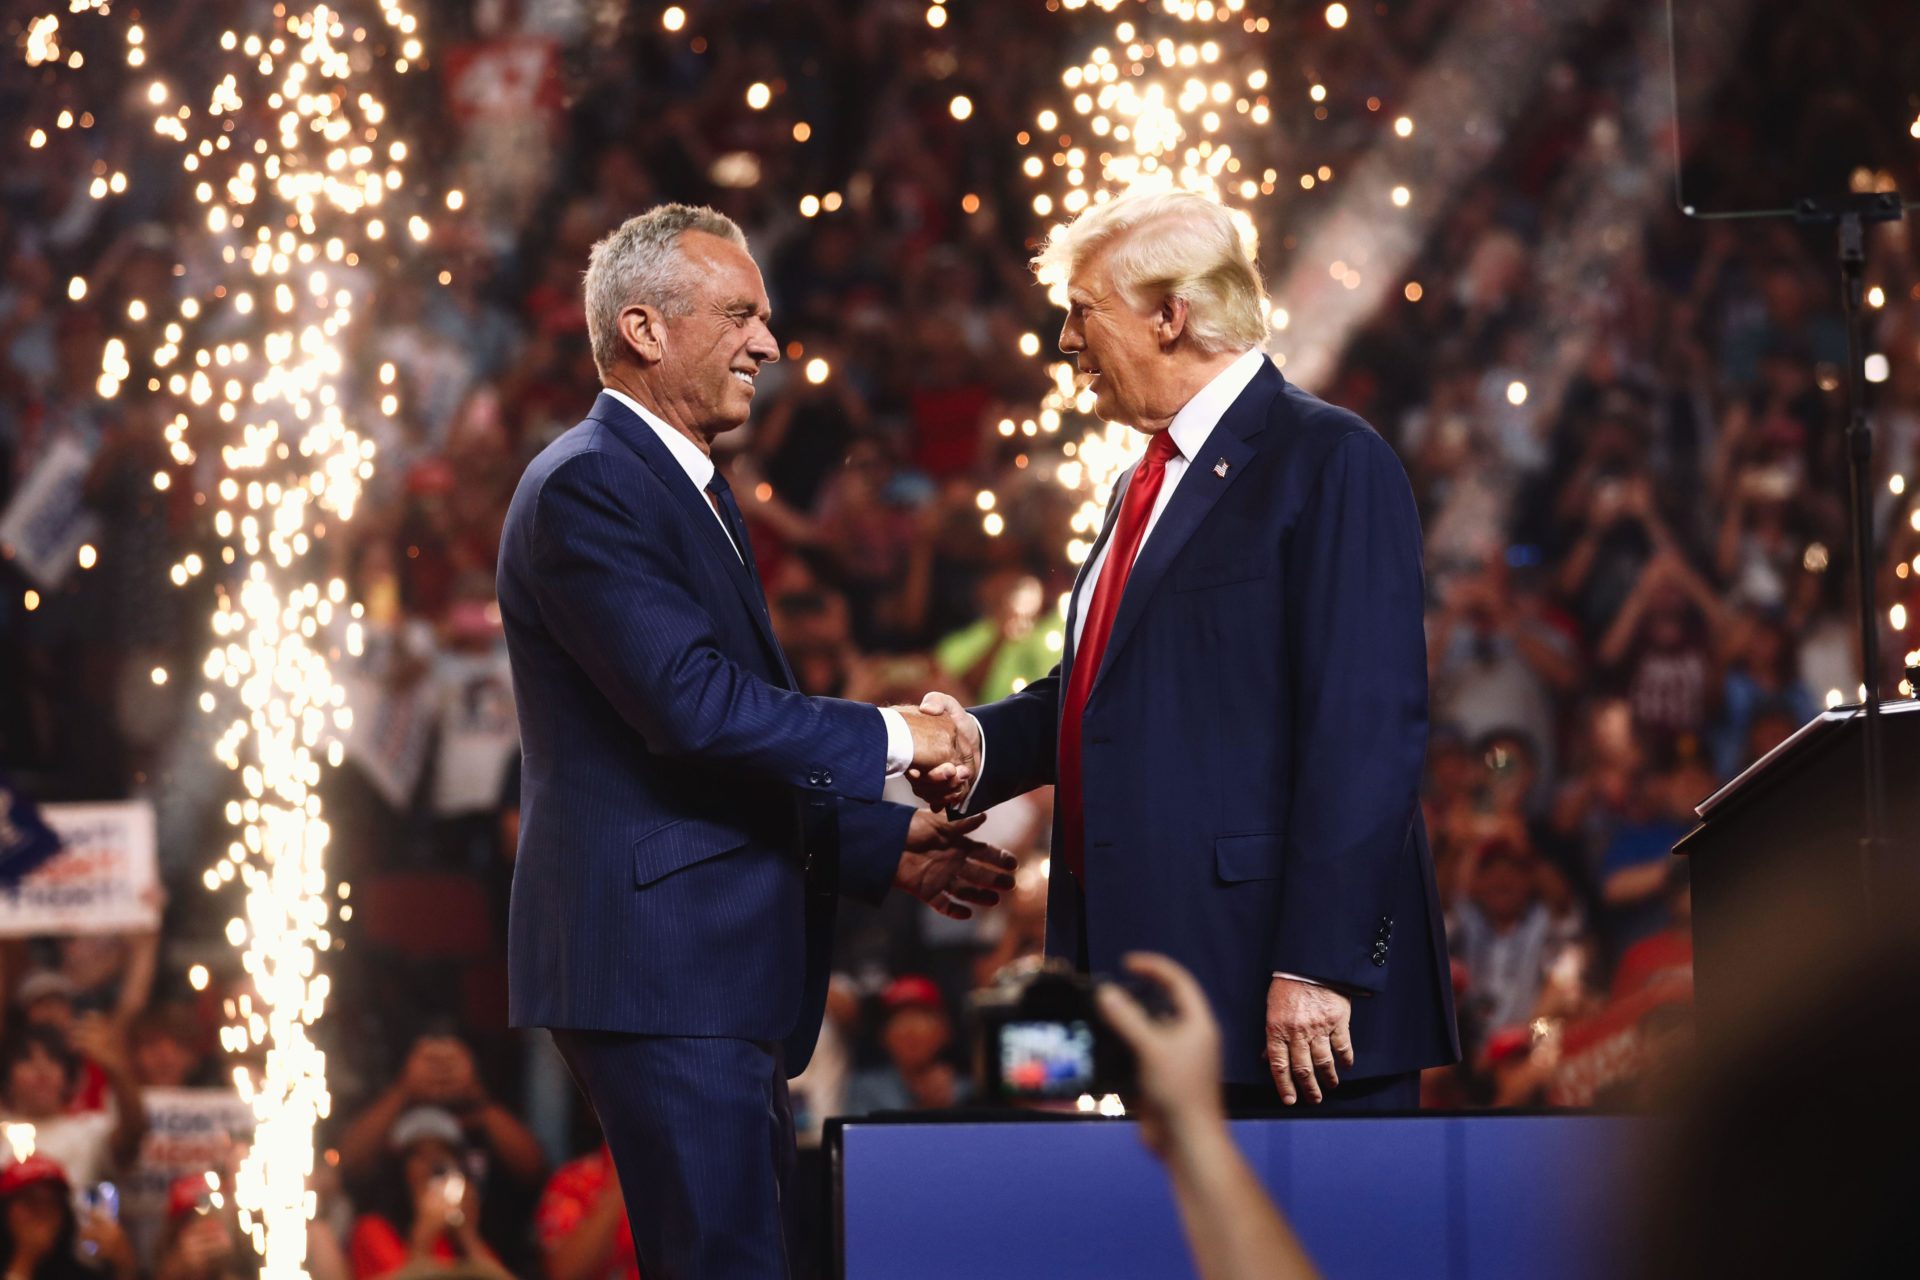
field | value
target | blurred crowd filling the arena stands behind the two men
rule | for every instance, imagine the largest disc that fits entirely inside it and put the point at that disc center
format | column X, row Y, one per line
column 1631, row 486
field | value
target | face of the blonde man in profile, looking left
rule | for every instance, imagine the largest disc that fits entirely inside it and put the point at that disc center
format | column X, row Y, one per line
column 1118, row 348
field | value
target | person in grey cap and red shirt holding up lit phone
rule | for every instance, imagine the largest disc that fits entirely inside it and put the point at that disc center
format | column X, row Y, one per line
column 433, row 1208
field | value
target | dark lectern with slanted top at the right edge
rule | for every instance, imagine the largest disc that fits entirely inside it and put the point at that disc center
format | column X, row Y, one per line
column 1798, row 815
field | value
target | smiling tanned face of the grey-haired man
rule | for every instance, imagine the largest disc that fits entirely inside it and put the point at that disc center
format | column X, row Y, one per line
column 706, row 360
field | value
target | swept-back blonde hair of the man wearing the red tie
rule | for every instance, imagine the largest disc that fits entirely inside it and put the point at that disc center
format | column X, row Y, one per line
column 1172, row 245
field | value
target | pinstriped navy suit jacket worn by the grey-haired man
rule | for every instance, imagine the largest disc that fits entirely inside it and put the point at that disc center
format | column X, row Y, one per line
column 686, row 817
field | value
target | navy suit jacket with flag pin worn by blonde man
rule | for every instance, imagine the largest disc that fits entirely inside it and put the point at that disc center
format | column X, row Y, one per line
column 1255, row 738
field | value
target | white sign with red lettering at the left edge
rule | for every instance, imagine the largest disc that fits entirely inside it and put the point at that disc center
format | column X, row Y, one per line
column 105, row 880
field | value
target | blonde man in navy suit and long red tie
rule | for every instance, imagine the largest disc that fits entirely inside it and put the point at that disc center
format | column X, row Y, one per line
column 1241, row 713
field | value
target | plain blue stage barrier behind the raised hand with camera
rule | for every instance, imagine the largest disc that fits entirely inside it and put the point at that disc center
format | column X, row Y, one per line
column 1403, row 1198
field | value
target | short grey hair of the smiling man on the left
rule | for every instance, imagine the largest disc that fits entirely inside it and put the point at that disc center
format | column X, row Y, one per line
column 644, row 264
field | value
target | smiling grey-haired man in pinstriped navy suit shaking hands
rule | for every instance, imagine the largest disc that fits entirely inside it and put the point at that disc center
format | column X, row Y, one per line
column 686, row 815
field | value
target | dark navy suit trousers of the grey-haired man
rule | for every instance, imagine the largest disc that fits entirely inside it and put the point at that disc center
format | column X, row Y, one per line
column 702, row 1137
